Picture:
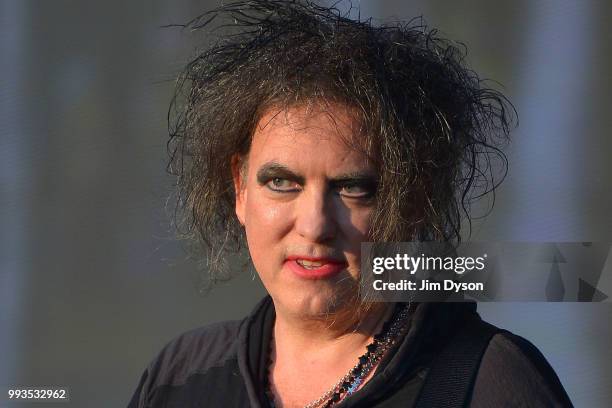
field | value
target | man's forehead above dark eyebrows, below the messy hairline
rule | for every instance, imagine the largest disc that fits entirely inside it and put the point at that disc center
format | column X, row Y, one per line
column 309, row 132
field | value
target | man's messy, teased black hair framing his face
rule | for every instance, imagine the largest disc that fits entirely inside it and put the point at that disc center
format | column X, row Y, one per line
column 429, row 123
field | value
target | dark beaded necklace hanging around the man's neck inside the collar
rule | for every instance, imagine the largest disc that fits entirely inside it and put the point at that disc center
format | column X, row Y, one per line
column 391, row 332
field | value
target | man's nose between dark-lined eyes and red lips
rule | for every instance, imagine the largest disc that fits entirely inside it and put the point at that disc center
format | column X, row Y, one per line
column 315, row 217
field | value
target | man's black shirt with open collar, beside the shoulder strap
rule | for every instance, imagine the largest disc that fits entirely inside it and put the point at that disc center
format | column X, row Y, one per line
column 224, row 365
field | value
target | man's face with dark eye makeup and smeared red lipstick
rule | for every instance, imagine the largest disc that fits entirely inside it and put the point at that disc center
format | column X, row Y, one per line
column 306, row 200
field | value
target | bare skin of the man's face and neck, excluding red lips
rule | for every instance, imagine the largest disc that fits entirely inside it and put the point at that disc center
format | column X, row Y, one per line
column 303, row 191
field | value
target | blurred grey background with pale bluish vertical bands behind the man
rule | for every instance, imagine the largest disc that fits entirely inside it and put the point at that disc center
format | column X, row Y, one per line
column 92, row 282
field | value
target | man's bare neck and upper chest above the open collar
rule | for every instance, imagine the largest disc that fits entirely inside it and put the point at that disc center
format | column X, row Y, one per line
column 321, row 350
